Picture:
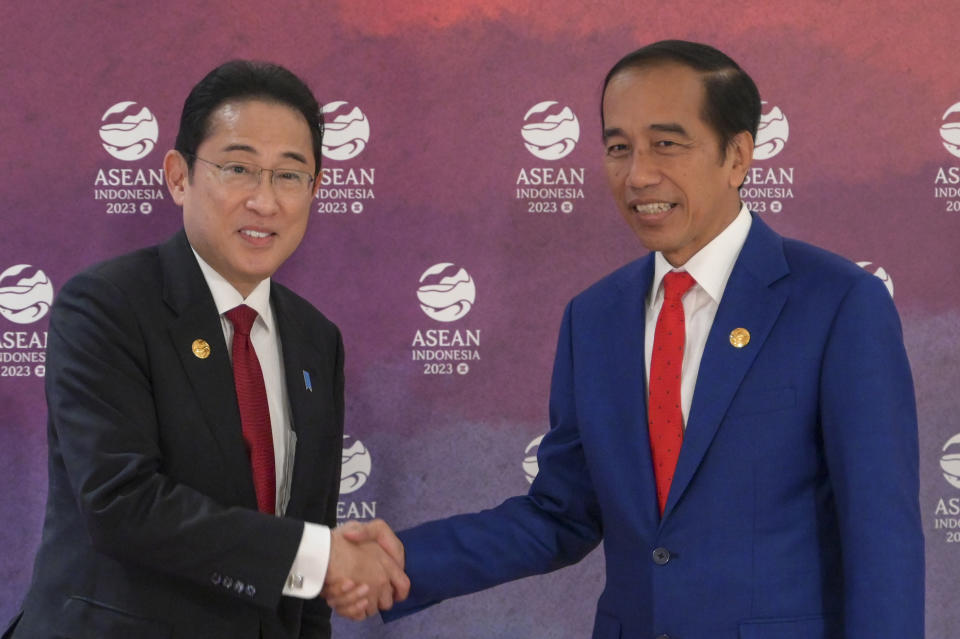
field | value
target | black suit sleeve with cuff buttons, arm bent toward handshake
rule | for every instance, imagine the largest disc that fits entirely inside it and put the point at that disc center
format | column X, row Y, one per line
column 105, row 432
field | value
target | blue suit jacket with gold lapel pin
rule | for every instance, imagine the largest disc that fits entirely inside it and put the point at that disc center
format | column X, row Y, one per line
column 794, row 510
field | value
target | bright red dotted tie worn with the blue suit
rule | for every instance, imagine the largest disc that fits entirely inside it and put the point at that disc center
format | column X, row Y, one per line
column 664, row 414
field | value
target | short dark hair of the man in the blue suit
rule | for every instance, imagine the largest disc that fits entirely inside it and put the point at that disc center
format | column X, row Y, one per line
column 731, row 100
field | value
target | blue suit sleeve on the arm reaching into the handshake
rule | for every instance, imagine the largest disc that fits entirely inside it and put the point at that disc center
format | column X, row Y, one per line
column 556, row 524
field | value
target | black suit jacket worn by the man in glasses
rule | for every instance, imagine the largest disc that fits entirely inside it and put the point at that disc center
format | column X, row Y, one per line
column 151, row 525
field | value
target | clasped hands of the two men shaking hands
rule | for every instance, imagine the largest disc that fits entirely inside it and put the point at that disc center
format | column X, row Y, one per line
column 365, row 572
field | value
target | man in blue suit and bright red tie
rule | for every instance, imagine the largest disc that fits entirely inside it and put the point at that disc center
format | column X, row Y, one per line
column 790, row 509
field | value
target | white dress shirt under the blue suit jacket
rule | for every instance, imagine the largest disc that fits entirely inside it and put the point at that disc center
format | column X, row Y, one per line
column 710, row 267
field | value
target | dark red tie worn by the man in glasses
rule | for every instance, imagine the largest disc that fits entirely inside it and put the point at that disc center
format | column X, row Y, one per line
column 254, row 411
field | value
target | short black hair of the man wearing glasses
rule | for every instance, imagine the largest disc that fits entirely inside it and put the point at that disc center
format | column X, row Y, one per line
column 240, row 80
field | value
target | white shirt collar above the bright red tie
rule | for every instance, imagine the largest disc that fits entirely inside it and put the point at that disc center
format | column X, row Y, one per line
column 710, row 266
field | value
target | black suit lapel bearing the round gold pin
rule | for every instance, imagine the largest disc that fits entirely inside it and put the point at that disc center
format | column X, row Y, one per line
column 186, row 293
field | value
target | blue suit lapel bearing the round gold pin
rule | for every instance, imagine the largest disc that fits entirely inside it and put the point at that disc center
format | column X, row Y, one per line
column 749, row 301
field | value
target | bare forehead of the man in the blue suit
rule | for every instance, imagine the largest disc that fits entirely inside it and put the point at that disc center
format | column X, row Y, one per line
column 654, row 94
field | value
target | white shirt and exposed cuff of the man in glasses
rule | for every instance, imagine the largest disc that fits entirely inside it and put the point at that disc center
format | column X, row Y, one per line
column 313, row 555
